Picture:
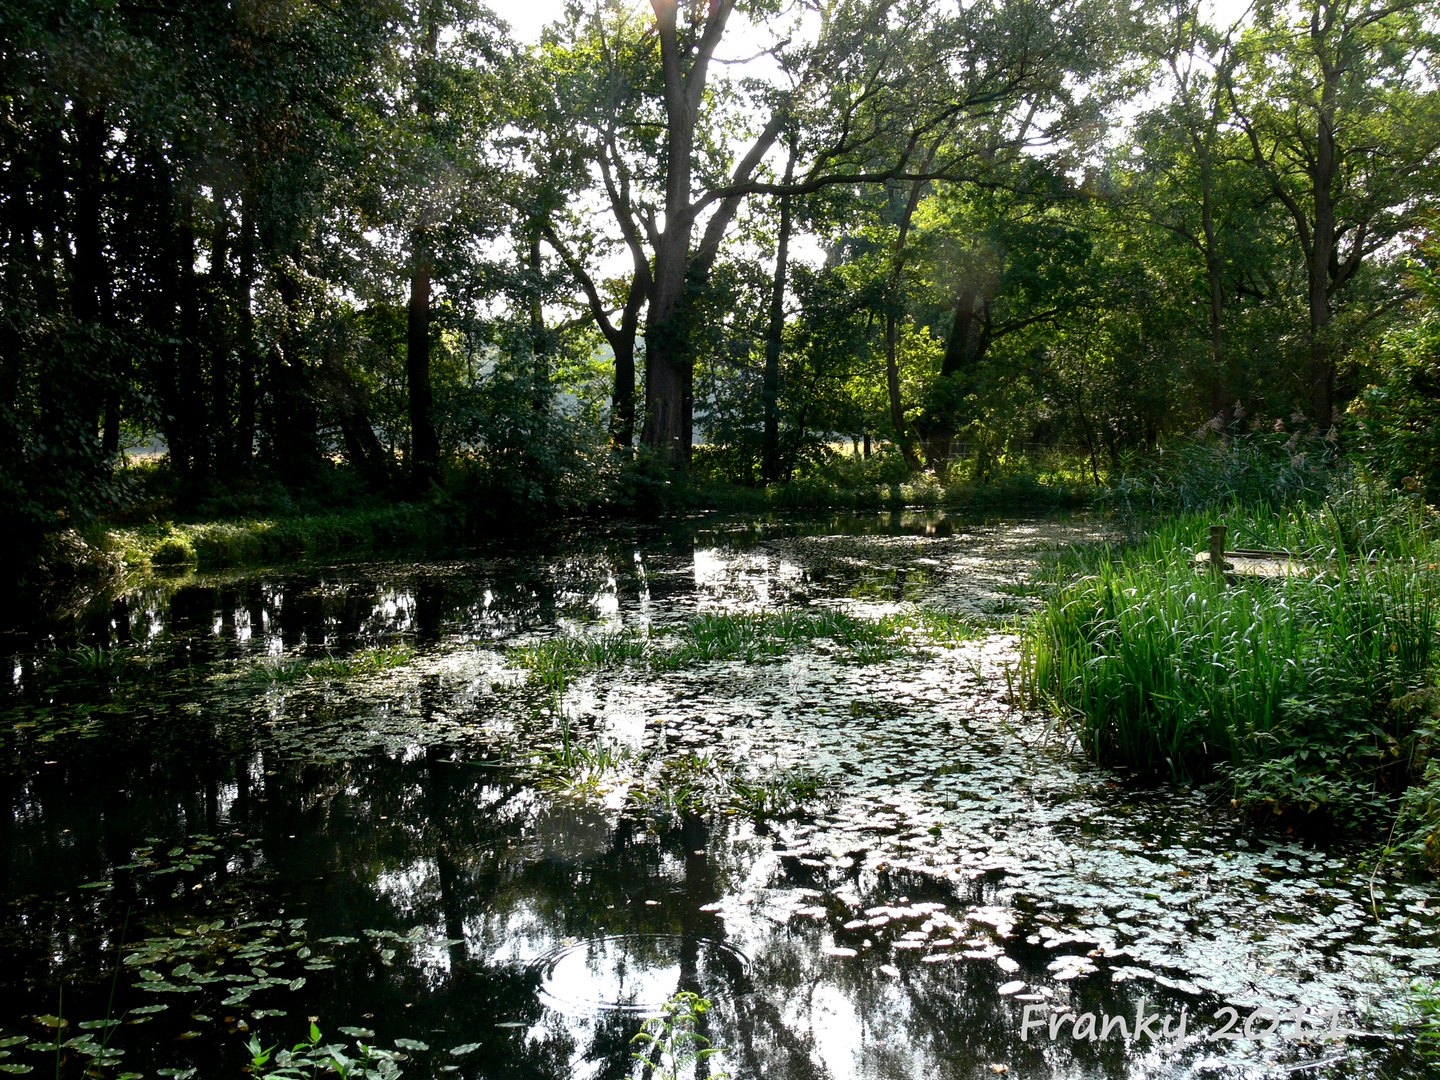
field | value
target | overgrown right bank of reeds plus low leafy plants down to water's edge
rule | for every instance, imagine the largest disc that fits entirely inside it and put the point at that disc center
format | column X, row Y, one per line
column 1307, row 698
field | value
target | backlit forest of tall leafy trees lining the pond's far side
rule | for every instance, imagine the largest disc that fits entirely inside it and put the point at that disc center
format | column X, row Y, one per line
column 329, row 254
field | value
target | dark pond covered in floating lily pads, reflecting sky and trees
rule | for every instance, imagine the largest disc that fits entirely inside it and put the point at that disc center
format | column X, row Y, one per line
column 240, row 804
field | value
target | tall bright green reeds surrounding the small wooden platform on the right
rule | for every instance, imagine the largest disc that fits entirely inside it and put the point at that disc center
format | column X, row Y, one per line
column 1164, row 669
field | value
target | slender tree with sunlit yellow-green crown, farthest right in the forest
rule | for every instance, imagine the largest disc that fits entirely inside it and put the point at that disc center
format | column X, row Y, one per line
column 1343, row 125
